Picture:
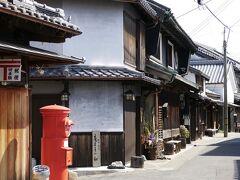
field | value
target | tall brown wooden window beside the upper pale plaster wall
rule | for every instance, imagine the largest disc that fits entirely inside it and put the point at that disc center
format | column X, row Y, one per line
column 130, row 45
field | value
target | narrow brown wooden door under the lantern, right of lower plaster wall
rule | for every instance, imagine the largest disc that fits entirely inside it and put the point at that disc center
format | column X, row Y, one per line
column 130, row 129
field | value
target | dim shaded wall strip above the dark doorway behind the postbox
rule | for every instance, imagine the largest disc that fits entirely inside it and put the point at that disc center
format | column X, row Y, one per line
column 46, row 87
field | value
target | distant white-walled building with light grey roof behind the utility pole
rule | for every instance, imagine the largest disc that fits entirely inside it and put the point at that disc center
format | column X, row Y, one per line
column 211, row 62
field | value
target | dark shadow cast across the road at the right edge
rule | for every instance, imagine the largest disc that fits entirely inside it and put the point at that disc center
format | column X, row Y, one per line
column 227, row 148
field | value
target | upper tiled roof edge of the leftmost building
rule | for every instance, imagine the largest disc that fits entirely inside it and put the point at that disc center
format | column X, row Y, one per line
column 59, row 21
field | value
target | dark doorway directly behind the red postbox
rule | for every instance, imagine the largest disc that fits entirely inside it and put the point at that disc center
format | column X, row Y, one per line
column 39, row 101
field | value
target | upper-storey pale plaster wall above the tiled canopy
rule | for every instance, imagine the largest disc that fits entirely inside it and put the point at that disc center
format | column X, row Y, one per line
column 101, row 22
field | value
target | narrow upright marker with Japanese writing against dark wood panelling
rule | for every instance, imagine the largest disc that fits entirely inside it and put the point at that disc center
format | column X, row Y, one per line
column 96, row 149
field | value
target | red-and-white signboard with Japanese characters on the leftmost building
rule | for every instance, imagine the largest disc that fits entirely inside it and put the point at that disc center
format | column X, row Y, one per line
column 10, row 69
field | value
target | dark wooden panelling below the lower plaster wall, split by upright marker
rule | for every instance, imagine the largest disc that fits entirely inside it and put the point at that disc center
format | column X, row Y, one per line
column 111, row 148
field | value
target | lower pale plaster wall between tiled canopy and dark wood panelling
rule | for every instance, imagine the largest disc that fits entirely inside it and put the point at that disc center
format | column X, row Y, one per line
column 96, row 106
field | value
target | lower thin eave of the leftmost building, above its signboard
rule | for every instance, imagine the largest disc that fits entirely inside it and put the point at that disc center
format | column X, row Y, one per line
column 37, row 56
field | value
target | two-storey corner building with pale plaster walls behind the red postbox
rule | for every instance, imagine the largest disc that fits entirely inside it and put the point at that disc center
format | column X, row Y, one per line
column 105, row 93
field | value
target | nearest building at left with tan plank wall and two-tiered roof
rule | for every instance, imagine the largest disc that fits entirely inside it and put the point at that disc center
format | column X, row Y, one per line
column 22, row 22
